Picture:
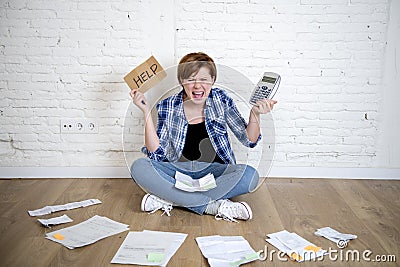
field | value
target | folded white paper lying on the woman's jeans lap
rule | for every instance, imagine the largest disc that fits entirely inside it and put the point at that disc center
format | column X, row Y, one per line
column 186, row 183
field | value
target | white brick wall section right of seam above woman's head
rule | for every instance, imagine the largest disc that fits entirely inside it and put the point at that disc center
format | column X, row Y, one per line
column 330, row 56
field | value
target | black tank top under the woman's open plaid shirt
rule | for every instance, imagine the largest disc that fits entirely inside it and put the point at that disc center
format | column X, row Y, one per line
column 198, row 145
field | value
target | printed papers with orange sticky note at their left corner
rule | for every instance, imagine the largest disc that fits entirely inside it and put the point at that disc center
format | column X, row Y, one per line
column 87, row 232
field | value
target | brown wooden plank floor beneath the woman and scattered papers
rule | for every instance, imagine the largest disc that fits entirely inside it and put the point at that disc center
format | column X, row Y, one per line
column 368, row 208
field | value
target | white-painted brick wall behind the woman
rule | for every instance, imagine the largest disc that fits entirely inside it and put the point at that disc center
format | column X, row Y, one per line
column 66, row 59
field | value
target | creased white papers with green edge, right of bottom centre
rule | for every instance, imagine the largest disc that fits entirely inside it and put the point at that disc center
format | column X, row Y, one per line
column 226, row 251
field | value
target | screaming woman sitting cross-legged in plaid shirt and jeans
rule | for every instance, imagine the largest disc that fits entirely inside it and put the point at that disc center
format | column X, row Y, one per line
column 191, row 138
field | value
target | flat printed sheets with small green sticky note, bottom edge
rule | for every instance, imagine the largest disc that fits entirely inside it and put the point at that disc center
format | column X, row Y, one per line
column 148, row 248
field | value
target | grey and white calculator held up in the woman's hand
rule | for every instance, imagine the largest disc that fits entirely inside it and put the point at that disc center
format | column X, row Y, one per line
column 266, row 87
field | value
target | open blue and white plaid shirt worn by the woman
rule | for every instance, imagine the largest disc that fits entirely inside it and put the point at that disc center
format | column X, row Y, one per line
column 219, row 112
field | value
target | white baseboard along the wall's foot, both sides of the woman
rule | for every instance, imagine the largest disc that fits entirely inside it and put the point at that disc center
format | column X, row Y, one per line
column 123, row 172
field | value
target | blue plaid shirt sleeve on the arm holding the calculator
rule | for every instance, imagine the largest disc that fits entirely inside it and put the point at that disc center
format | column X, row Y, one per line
column 237, row 124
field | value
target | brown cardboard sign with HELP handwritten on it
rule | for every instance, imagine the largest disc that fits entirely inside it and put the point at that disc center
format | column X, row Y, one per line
column 146, row 75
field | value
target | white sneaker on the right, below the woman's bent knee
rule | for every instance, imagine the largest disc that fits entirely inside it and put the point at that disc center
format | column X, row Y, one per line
column 230, row 211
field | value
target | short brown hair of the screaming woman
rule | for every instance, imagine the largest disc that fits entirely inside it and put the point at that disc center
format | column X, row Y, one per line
column 191, row 63
